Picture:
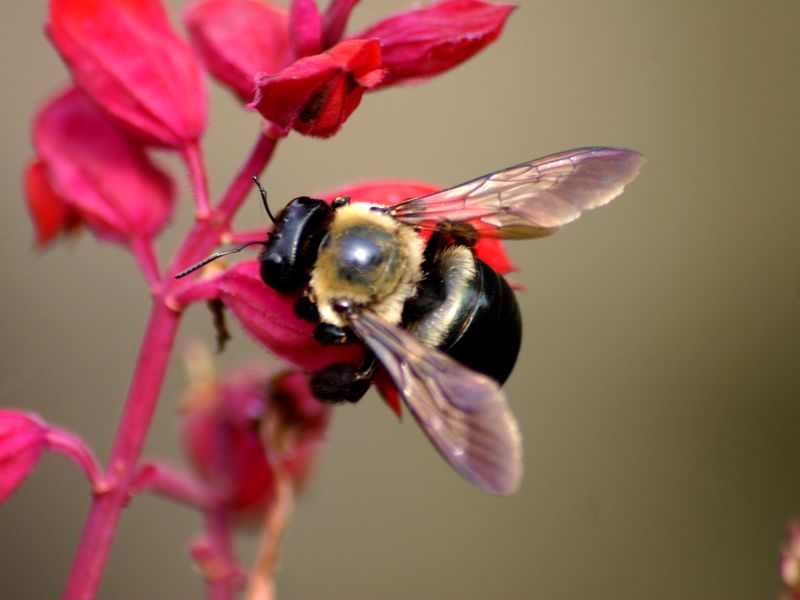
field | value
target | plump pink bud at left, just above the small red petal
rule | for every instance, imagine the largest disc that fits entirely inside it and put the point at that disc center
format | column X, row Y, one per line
column 102, row 175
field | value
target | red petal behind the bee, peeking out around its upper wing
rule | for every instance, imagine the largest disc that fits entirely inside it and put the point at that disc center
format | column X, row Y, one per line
column 391, row 192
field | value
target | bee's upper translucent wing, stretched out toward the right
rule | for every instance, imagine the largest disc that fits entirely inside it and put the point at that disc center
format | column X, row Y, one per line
column 532, row 199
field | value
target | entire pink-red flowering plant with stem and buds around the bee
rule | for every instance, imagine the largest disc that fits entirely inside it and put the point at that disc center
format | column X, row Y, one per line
column 138, row 86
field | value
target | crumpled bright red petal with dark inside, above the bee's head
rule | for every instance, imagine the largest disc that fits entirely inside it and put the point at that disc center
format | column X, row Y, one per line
column 317, row 94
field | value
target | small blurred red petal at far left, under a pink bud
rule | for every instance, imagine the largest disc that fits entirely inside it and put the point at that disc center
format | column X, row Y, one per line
column 50, row 213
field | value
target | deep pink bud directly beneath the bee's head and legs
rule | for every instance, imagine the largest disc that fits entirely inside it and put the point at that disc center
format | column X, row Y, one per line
column 269, row 317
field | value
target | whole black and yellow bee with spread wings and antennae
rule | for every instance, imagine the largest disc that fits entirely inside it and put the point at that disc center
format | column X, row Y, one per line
column 443, row 324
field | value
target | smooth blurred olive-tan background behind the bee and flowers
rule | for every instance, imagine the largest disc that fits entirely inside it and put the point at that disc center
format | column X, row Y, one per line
column 657, row 389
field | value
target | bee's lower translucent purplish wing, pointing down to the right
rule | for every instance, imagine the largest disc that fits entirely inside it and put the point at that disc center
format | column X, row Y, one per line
column 463, row 413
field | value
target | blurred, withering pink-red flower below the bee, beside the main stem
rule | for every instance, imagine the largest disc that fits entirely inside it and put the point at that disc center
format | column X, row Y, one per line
column 244, row 429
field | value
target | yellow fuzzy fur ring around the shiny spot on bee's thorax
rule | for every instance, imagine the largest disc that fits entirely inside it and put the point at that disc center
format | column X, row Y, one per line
column 386, row 295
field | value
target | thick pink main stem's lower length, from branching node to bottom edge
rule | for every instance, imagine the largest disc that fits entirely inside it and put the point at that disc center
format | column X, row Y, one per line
column 104, row 514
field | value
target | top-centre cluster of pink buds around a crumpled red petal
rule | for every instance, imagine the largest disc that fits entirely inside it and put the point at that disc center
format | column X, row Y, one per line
column 318, row 93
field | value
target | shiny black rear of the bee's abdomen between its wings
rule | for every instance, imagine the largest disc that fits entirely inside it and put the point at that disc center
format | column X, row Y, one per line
column 489, row 340
